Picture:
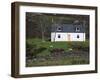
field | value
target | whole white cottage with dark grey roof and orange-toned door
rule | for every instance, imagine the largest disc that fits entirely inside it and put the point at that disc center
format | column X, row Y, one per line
column 68, row 32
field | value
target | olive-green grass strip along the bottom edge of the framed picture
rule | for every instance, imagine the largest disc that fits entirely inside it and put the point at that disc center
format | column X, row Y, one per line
column 63, row 61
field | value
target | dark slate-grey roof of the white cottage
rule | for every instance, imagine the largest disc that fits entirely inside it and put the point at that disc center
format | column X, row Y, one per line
column 67, row 28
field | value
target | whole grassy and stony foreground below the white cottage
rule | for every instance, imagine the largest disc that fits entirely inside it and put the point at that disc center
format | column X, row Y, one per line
column 47, row 53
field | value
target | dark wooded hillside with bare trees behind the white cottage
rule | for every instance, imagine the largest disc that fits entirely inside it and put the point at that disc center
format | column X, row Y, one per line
column 40, row 24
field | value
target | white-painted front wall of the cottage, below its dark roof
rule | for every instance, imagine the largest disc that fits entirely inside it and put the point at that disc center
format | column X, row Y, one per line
column 64, row 36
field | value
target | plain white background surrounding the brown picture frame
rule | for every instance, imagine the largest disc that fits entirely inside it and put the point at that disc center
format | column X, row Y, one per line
column 5, row 40
